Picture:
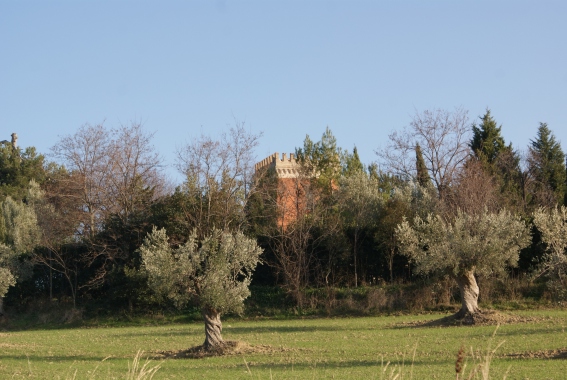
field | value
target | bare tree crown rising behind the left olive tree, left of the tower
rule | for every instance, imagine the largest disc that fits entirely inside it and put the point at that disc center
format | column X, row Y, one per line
column 219, row 179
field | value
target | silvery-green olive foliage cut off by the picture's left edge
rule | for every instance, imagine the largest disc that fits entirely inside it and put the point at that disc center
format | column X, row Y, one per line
column 19, row 234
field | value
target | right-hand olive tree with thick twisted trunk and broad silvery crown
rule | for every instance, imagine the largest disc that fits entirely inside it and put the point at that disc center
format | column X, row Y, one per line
column 468, row 245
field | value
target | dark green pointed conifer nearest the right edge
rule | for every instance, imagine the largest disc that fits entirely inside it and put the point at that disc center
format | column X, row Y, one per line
column 547, row 164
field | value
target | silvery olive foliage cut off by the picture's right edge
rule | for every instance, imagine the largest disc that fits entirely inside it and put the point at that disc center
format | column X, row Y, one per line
column 553, row 227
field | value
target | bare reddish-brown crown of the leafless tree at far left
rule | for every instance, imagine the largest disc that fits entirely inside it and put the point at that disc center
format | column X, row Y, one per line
column 112, row 166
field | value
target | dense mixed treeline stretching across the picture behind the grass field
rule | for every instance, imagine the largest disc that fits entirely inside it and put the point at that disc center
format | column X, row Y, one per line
column 74, row 228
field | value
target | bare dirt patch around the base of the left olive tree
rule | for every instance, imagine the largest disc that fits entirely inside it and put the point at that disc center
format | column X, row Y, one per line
column 226, row 349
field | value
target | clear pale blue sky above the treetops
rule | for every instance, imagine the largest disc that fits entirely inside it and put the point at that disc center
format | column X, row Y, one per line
column 285, row 68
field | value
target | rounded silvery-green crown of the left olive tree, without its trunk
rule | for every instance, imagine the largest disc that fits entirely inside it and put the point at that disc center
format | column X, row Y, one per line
column 215, row 271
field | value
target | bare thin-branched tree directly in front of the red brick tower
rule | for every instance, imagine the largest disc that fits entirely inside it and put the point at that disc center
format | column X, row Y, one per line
column 296, row 225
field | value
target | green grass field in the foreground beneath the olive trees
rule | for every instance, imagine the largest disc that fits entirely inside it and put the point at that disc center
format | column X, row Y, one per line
column 345, row 348
